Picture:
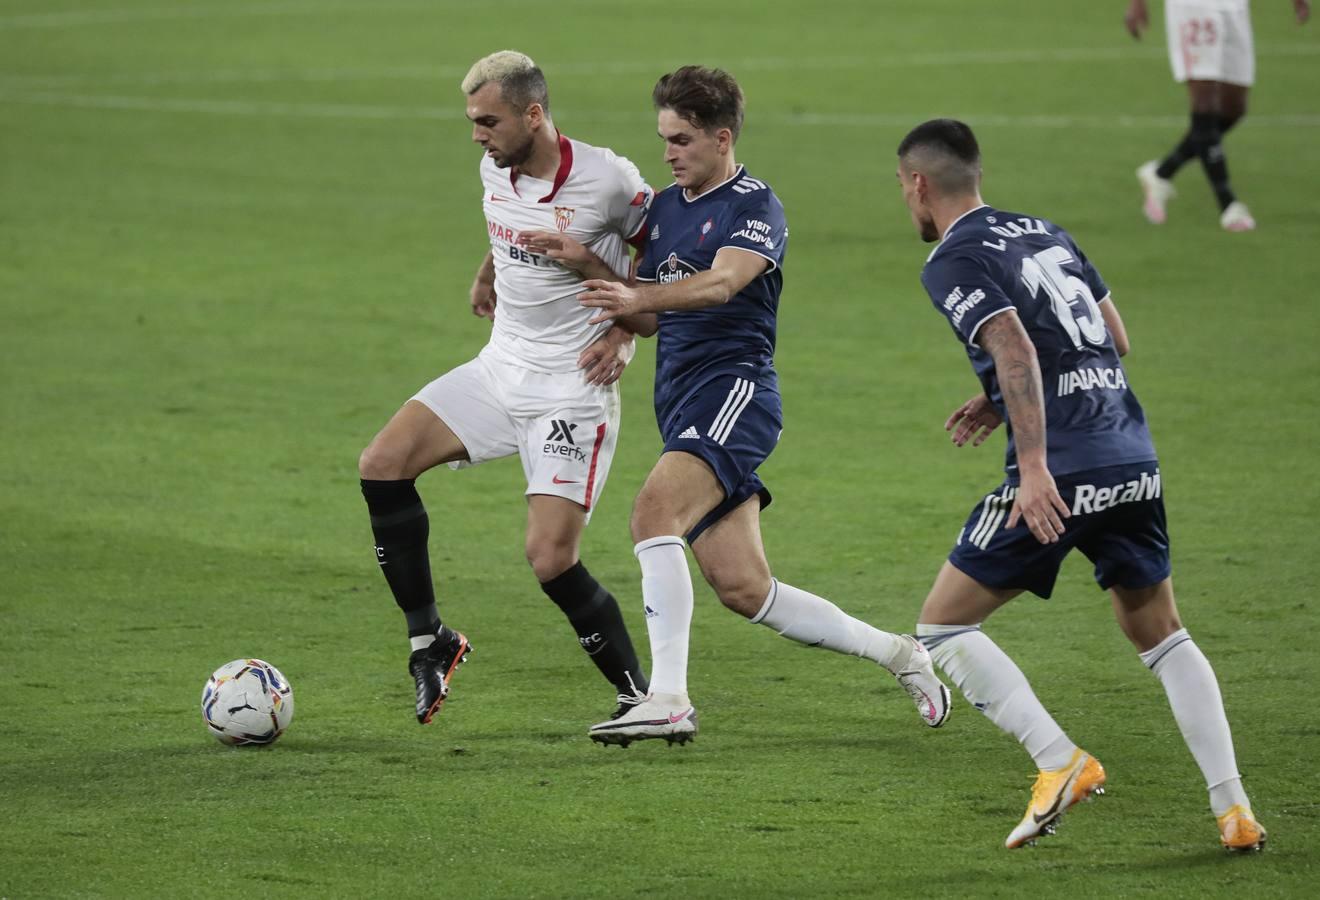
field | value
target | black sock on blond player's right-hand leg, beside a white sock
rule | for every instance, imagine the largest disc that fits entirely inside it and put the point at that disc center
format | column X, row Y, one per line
column 595, row 616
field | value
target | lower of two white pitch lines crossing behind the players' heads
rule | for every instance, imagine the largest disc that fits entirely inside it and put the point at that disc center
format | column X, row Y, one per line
column 455, row 114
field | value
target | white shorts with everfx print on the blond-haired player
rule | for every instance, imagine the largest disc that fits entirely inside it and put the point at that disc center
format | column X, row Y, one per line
column 563, row 428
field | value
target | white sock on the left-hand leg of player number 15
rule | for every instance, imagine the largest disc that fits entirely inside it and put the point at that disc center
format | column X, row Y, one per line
column 995, row 684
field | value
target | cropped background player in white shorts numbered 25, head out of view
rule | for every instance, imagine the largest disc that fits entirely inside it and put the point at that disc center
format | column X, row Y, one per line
column 1211, row 51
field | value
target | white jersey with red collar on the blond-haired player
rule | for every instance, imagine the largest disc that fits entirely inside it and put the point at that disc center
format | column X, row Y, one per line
column 597, row 199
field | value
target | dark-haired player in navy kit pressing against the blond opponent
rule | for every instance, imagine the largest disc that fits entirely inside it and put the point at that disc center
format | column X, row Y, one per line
column 715, row 249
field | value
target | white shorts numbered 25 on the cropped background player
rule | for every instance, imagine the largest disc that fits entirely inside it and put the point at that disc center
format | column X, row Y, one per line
column 1208, row 43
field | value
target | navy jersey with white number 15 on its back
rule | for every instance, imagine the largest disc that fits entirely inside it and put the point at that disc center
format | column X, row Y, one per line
column 991, row 262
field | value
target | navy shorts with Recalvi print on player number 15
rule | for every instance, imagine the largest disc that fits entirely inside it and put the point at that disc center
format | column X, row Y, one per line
column 1117, row 522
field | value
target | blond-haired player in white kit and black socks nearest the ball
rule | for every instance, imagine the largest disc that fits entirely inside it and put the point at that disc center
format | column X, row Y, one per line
column 558, row 212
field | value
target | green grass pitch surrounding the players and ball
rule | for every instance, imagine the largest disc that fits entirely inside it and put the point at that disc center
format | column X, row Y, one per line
column 234, row 237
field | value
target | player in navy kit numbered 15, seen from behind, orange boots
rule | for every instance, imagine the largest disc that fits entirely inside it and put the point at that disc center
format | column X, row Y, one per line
column 1045, row 340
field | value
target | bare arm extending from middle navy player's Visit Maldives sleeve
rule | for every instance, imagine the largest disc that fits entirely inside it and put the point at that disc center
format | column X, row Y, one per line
column 732, row 271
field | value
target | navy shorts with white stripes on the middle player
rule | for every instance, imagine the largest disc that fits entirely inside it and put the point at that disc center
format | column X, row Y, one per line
column 732, row 424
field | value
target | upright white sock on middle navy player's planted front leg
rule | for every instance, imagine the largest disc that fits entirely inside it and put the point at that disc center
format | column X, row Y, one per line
column 667, row 595
